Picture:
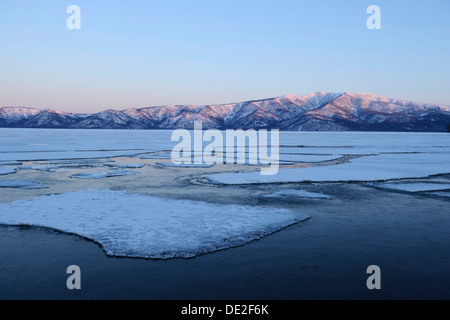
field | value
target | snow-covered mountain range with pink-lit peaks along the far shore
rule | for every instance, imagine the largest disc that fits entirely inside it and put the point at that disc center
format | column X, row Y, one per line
column 314, row 112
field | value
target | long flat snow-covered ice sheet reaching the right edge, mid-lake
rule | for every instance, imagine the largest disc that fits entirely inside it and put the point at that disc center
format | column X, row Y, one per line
column 369, row 168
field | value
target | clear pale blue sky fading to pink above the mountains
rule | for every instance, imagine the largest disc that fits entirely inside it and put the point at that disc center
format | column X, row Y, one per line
column 147, row 53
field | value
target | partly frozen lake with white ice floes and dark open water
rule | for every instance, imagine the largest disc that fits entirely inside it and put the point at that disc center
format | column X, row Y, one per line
column 340, row 202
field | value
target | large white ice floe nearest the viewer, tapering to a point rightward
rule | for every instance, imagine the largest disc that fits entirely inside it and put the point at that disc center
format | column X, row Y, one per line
column 136, row 225
